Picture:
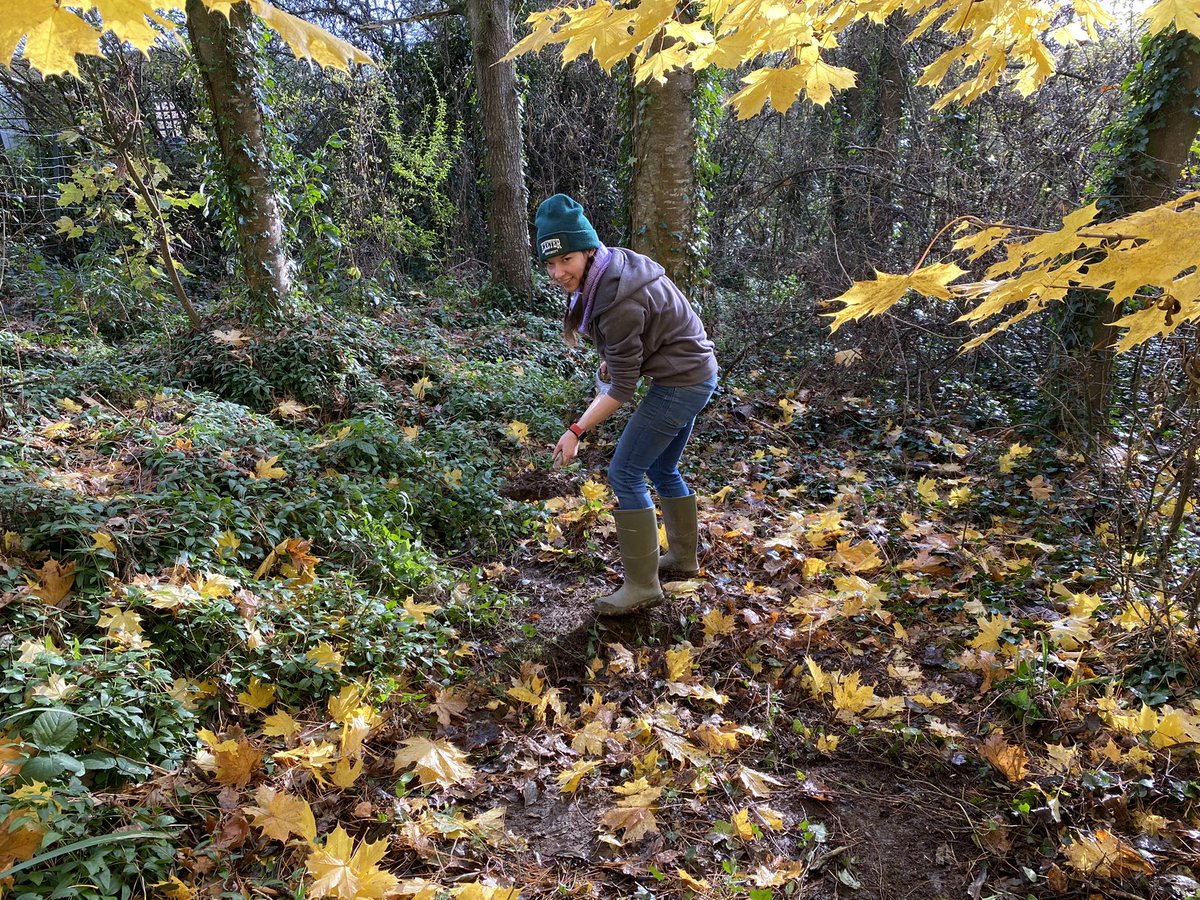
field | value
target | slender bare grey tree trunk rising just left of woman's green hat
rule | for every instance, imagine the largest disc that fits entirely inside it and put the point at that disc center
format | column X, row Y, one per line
column 507, row 201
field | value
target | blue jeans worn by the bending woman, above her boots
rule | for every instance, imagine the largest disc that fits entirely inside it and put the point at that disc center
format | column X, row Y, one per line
column 653, row 442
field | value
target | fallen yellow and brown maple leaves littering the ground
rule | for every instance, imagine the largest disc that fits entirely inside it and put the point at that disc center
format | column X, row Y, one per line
column 878, row 683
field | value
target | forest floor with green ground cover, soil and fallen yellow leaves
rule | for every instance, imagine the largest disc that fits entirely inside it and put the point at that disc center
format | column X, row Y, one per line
column 917, row 662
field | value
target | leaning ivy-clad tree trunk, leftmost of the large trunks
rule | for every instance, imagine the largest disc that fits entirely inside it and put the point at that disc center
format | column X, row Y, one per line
column 225, row 53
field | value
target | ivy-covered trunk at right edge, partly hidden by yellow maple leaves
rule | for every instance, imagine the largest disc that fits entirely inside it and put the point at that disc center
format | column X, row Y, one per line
column 1150, row 149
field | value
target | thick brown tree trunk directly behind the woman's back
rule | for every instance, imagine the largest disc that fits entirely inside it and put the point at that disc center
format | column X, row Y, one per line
column 663, row 184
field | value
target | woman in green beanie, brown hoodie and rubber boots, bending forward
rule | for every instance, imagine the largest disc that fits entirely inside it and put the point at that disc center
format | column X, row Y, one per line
column 643, row 326
